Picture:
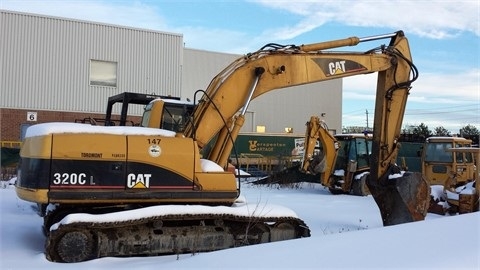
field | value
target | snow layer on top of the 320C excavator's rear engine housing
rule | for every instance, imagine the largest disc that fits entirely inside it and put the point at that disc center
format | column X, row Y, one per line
column 63, row 127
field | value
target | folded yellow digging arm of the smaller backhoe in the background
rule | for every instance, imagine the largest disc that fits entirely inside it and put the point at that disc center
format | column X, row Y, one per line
column 324, row 162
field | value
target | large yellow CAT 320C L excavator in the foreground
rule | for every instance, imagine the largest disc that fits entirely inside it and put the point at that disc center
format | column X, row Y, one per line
column 150, row 190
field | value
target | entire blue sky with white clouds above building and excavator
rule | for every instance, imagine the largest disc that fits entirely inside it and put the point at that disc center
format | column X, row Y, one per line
column 443, row 36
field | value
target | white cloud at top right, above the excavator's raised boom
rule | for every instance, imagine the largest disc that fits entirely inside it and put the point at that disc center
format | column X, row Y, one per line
column 432, row 19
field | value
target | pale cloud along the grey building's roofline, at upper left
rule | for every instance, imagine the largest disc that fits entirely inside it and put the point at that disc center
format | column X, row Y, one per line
column 138, row 14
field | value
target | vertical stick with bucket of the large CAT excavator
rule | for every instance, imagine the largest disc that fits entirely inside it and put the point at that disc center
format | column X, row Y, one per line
column 401, row 197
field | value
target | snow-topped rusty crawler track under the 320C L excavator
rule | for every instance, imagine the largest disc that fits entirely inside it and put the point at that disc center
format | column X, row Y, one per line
column 167, row 234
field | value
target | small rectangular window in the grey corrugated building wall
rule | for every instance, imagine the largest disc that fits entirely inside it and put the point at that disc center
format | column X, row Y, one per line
column 103, row 73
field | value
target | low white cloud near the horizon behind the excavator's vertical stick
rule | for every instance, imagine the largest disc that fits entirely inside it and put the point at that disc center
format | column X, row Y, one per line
column 436, row 99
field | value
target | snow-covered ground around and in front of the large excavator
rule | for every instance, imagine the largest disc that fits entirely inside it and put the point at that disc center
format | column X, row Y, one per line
column 347, row 233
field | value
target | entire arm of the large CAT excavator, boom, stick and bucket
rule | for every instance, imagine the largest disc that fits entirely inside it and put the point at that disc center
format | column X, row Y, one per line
column 220, row 111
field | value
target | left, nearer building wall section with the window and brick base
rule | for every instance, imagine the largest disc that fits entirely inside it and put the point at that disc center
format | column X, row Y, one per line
column 46, row 66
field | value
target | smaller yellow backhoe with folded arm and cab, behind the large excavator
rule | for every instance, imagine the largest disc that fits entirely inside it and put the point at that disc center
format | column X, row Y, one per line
column 341, row 162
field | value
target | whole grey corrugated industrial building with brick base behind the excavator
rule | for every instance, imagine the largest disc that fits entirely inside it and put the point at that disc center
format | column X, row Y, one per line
column 58, row 69
